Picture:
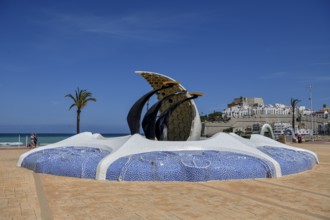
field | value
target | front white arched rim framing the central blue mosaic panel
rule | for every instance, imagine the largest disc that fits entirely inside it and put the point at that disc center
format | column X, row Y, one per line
column 138, row 144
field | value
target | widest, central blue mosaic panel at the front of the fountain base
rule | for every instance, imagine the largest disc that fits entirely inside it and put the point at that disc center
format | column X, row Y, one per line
column 190, row 166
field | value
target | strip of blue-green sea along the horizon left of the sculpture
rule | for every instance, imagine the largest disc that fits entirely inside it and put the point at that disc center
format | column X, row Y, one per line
column 13, row 139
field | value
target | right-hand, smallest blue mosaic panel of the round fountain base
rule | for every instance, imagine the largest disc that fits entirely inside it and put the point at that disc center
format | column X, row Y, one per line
column 291, row 161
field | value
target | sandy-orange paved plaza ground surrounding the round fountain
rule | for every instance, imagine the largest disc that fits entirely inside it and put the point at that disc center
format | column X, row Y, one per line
column 27, row 195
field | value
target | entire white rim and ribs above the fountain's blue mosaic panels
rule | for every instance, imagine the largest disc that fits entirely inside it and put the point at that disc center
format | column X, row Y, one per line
column 129, row 145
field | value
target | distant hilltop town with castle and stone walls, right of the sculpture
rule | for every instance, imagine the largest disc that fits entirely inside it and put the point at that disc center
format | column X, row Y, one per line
column 244, row 114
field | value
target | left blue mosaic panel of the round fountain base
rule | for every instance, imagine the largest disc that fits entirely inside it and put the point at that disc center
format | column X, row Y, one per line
column 78, row 162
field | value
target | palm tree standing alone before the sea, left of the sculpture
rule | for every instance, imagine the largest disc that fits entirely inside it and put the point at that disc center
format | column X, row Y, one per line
column 80, row 101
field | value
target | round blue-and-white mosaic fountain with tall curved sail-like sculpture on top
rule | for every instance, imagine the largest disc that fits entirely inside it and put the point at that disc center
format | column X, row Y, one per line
column 184, row 158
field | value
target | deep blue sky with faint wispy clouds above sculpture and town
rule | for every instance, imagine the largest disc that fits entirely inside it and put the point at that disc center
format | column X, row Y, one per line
column 226, row 49
